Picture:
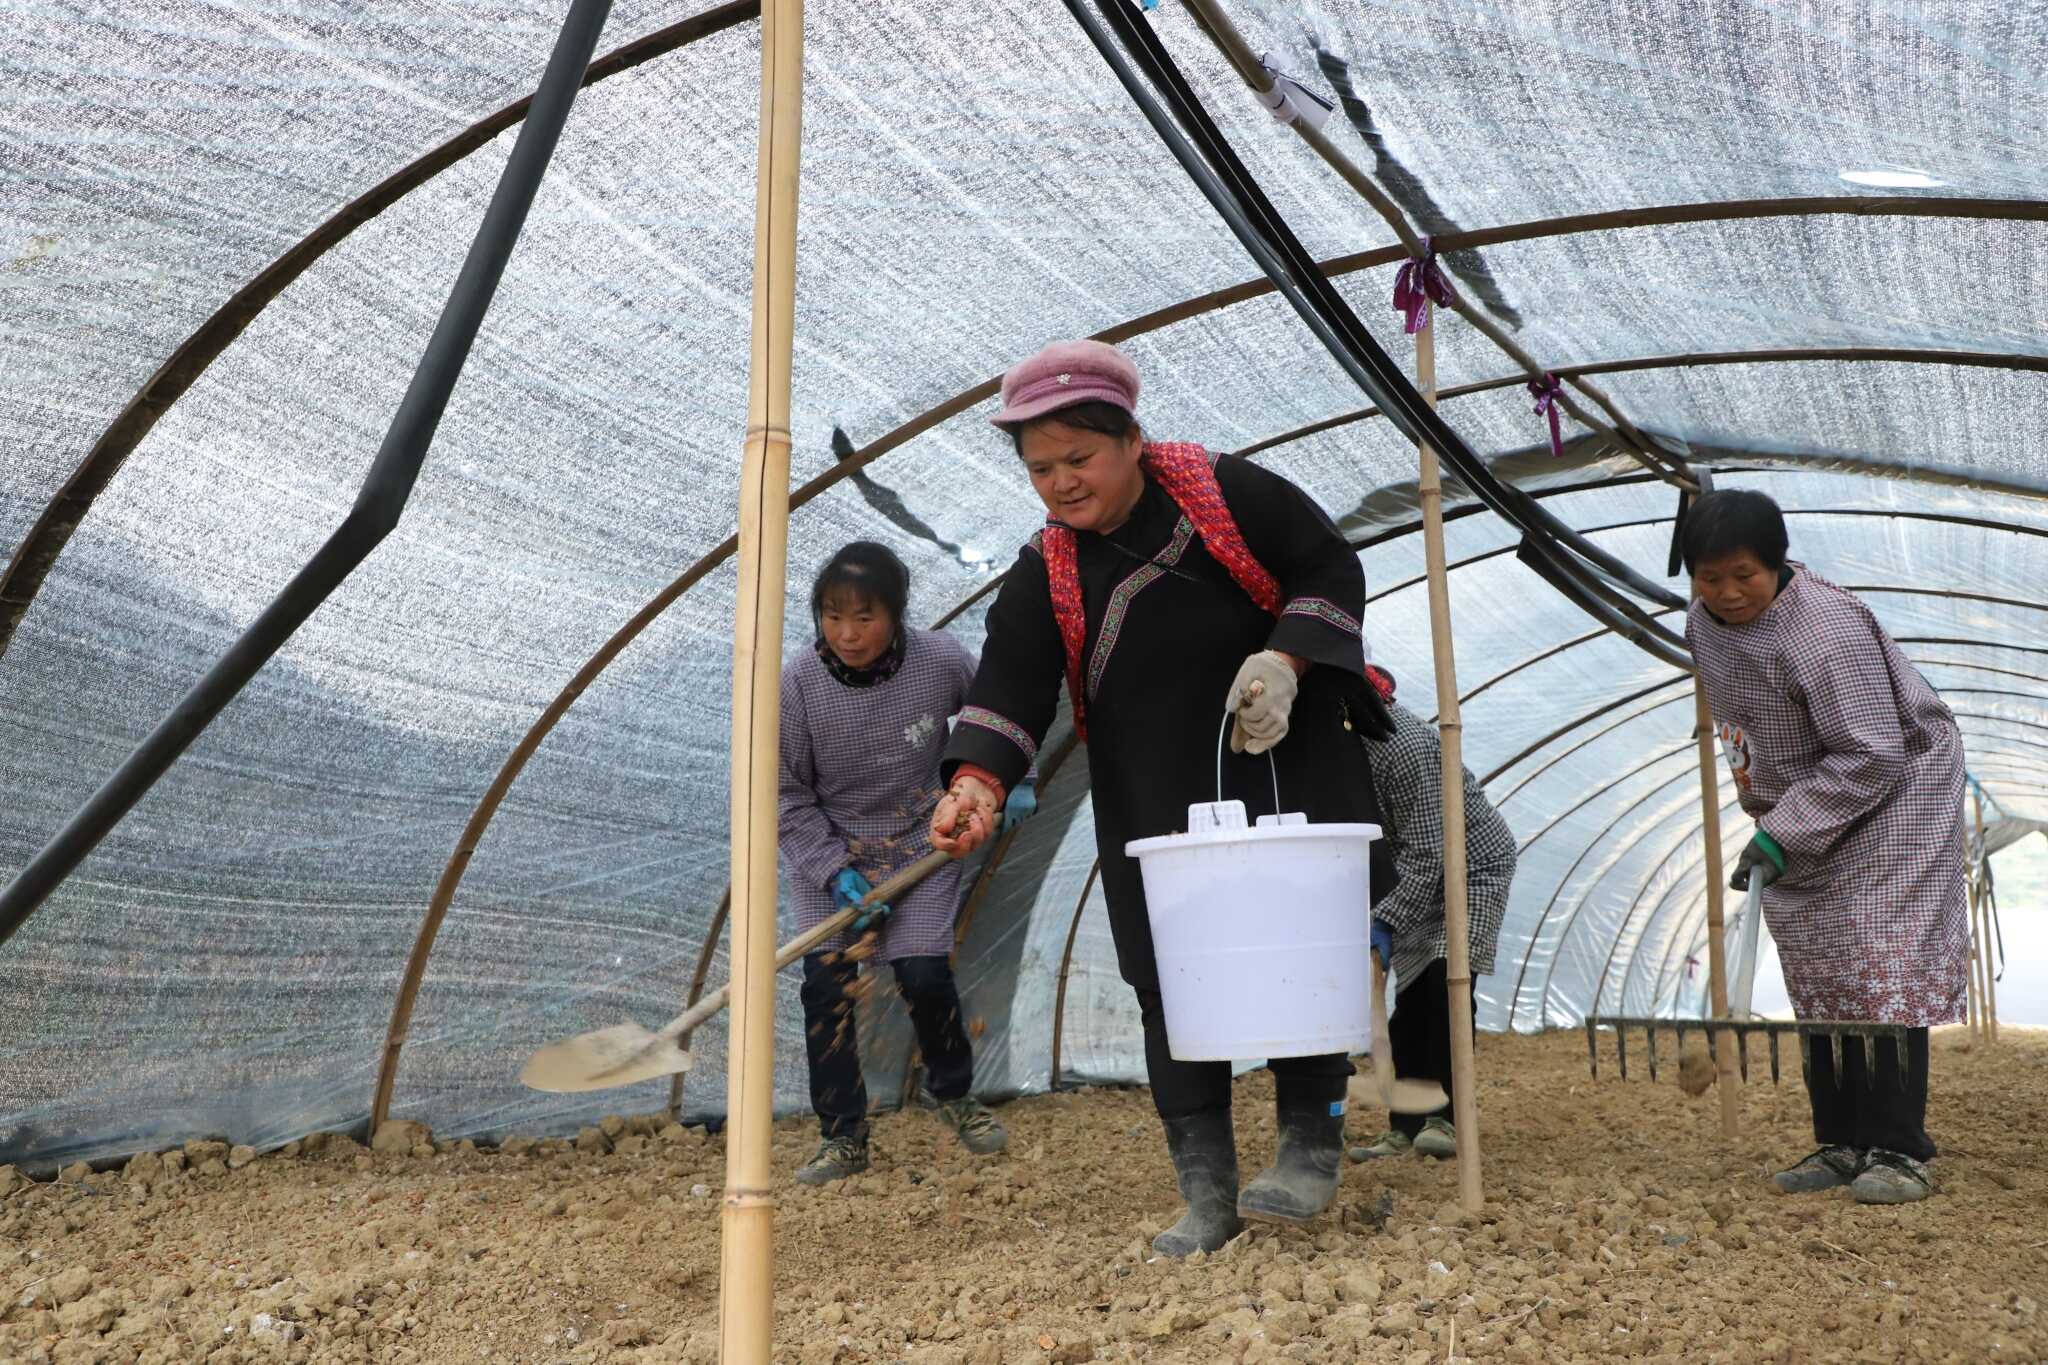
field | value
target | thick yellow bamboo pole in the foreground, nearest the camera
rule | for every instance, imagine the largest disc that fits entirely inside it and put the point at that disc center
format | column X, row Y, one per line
column 746, row 1268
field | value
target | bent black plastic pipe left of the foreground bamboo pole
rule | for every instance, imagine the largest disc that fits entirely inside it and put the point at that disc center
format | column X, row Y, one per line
column 380, row 502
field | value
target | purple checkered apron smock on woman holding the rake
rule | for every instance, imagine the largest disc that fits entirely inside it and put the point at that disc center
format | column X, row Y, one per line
column 1854, row 766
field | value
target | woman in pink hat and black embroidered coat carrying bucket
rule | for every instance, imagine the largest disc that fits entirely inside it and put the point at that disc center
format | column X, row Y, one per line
column 1164, row 586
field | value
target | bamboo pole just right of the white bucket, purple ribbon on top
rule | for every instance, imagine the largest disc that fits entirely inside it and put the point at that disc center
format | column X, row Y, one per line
column 1457, row 942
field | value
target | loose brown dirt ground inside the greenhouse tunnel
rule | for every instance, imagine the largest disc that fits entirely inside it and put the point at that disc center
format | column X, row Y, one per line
column 1619, row 1227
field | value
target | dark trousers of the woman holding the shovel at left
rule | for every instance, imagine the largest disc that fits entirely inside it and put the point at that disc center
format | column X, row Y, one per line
column 839, row 1092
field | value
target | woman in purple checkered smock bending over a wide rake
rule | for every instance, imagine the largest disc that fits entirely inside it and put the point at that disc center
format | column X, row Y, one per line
column 1852, row 770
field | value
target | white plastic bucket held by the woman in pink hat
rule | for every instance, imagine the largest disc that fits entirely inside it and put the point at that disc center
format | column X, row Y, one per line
column 1263, row 936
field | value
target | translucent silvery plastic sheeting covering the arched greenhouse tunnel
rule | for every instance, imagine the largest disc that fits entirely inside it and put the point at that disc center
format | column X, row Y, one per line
column 226, row 961
